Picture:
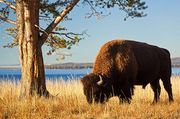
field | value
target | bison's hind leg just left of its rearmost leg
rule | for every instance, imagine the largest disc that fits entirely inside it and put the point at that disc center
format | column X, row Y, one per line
column 156, row 89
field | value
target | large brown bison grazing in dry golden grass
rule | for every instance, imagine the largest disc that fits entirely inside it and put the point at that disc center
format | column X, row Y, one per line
column 121, row 64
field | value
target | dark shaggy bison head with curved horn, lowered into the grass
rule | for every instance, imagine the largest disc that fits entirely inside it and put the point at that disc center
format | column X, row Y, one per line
column 95, row 88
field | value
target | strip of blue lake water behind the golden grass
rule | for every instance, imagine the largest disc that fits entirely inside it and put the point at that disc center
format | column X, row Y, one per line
column 64, row 74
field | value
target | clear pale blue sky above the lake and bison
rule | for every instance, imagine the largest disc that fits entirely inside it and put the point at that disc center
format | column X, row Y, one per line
column 160, row 27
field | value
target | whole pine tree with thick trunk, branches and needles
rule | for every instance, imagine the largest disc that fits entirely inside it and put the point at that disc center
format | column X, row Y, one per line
column 30, row 36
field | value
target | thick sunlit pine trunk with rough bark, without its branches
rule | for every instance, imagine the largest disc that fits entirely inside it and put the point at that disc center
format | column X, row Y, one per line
column 31, row 58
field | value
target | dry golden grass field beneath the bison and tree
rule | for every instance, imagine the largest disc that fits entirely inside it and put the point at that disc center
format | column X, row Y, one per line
column 70, row 103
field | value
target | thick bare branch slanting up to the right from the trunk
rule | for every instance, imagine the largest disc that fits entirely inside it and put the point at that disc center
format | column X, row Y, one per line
column 57, row 20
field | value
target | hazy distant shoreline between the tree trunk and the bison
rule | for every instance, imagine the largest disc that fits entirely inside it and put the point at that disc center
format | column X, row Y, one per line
column 69, row 66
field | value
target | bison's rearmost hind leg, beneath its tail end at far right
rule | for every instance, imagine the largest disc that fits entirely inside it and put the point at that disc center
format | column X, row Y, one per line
column 167, row 86
